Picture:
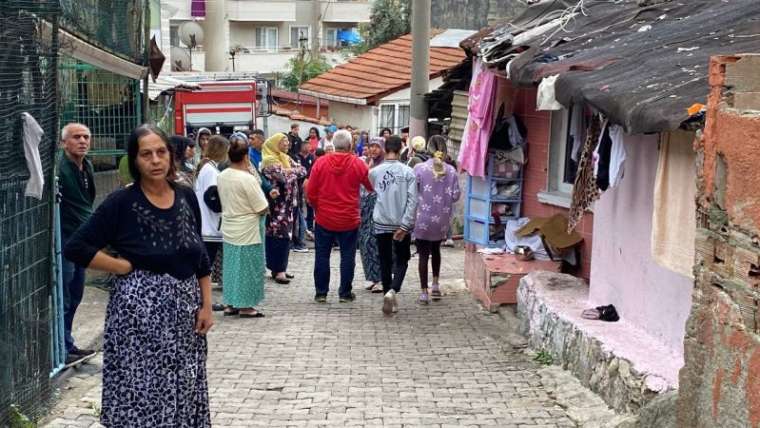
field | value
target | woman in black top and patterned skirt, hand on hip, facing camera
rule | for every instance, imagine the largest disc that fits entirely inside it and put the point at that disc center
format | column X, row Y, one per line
column 154, row 356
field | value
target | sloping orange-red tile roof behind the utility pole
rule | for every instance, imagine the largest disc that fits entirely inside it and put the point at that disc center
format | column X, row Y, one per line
column 378, row 72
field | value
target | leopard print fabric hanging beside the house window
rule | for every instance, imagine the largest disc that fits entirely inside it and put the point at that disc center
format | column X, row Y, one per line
column 585, row 189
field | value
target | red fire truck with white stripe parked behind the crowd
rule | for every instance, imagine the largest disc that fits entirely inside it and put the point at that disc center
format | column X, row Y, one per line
column 221, row 106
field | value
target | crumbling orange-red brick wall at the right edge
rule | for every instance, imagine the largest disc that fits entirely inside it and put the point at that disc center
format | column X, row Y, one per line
column 720, row 383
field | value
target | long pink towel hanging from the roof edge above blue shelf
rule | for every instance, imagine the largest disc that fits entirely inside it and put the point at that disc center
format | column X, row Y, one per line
column 480, row 119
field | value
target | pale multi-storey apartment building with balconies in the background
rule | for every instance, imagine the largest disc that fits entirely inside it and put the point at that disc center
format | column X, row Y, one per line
column 264, row 34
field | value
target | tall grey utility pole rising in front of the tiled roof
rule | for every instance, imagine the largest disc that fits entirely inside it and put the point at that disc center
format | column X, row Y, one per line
column 420, row 67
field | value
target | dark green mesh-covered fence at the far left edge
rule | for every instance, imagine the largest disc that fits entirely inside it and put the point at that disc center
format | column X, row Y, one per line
column 28, row 63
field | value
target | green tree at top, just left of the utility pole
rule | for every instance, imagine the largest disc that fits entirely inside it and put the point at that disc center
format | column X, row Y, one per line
column 389, row 19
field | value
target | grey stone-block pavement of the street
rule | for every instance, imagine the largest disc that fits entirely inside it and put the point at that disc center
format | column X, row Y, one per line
column 346, row 364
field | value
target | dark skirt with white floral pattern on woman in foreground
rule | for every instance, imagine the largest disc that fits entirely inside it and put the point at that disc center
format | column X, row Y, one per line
column 154, row 364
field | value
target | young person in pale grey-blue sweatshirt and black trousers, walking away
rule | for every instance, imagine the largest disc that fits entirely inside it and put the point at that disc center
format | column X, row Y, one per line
column 393, row 216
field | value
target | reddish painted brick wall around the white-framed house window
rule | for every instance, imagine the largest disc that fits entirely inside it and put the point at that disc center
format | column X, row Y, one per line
column 538, row 124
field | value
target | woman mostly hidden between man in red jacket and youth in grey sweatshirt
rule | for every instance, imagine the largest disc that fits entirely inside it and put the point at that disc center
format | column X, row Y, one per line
column 367, row 240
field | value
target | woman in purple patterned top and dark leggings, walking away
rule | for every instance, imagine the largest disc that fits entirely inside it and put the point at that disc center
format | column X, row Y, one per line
column 437, row 190
